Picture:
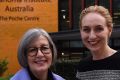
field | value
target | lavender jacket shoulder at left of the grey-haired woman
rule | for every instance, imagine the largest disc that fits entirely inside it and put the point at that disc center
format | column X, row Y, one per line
column 21, row 75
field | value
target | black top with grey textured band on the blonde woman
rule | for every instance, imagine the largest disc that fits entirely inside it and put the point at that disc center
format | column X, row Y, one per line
column 104, row 69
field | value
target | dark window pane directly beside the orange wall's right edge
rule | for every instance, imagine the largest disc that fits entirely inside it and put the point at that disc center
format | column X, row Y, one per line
column 63, row 15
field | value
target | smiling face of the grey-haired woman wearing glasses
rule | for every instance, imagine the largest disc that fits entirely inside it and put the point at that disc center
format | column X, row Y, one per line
column 39, row 55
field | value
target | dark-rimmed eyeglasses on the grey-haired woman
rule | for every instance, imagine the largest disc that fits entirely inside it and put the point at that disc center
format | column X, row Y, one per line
column 32, row 51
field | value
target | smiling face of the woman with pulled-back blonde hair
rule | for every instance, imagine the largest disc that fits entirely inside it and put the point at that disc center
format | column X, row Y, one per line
column 95, row 32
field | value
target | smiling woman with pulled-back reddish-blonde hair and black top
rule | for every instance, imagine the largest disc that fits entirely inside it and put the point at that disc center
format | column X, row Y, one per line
column 95, row 29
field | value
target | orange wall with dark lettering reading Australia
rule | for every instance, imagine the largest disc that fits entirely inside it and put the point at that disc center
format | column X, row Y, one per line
column 17, row 16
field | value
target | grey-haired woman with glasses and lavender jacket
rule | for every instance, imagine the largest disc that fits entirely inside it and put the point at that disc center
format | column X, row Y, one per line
column 36, row 54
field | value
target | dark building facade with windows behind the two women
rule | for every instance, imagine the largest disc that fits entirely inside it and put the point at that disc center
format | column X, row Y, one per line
column 67, row 39
